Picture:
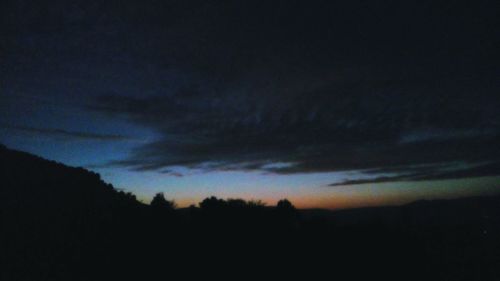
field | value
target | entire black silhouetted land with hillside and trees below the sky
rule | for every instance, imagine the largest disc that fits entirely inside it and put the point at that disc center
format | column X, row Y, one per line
column 63, row 223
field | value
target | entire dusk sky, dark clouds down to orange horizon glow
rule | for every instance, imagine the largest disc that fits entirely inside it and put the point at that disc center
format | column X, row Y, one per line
column 331, row 104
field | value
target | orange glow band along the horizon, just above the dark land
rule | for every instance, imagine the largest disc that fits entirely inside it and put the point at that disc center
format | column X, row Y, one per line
column 369, row 195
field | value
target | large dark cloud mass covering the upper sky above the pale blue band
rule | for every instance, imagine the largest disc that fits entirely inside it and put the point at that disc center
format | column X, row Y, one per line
column 319, row 86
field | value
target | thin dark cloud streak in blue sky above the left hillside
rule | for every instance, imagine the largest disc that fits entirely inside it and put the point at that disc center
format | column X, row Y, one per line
column 67, row 135
